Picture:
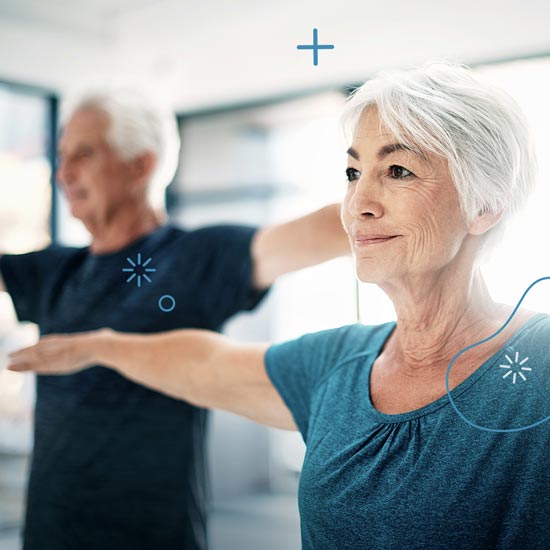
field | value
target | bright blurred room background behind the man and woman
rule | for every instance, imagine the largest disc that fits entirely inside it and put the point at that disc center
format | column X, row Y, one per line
column 261, row 143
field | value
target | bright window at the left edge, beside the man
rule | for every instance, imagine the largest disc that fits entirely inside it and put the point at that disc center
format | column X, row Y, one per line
column 25, row 204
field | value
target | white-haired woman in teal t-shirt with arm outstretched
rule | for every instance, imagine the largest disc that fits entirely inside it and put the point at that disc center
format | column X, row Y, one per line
column 438, row 162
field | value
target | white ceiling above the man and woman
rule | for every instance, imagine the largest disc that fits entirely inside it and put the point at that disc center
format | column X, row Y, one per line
column 212, row 52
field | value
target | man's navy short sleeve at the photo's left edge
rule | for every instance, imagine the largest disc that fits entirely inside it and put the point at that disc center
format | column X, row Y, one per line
column 26, row 276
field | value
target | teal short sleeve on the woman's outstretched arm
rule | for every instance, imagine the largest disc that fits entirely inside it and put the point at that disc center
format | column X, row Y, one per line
column 297, row 368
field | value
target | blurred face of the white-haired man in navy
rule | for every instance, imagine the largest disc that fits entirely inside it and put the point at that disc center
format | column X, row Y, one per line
column 95, row 180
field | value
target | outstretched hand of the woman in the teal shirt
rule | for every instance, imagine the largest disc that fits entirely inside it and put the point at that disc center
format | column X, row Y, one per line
column 58, row 354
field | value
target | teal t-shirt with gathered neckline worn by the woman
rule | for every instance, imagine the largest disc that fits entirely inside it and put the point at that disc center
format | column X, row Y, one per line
column 424, row 479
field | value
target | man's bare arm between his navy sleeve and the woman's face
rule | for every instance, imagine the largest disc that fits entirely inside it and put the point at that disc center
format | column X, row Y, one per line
column 306, row 241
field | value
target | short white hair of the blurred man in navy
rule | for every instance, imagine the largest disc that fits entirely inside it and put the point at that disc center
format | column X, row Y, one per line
column 138, row 124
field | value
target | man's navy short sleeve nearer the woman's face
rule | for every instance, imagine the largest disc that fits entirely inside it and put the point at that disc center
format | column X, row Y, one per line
column 226, row 285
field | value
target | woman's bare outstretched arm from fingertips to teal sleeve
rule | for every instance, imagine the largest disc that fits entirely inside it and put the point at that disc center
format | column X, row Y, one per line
column 198, row 366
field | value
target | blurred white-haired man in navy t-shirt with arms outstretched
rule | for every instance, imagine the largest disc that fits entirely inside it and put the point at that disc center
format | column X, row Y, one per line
column 117, row 465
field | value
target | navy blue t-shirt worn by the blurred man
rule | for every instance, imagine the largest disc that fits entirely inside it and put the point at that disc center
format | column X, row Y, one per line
column 115, row 465
